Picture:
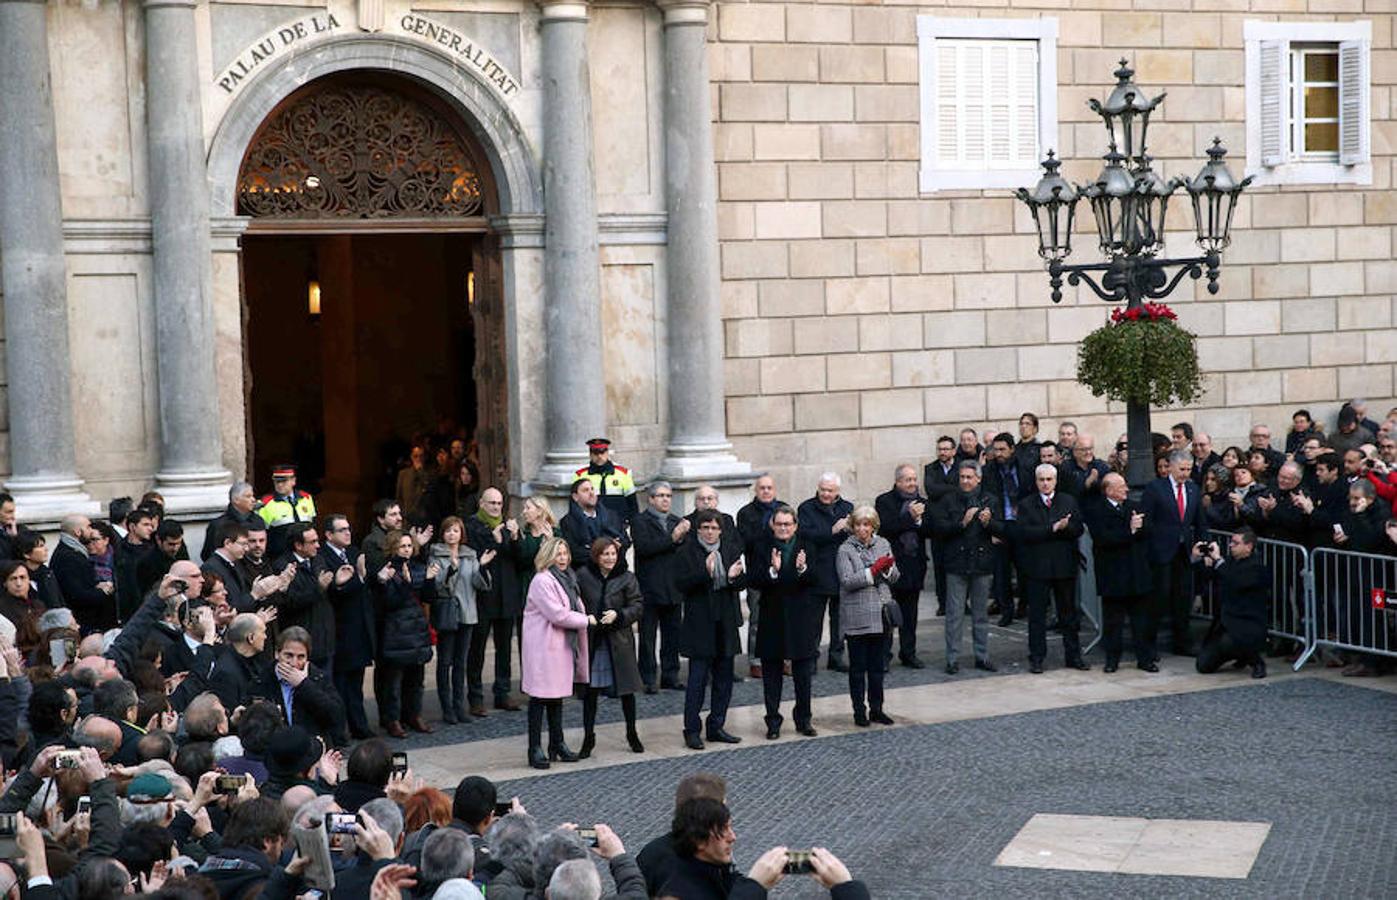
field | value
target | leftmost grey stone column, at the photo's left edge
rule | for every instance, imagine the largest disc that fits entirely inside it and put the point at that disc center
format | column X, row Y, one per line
column 43, row 458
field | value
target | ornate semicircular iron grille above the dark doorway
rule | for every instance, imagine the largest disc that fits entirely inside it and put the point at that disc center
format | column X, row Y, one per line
column 360, row 153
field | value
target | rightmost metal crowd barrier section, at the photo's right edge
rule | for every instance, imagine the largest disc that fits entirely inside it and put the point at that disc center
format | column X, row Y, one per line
column 1353, row 603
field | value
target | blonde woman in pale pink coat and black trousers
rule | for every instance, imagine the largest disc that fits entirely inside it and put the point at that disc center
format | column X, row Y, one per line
column 555, row 649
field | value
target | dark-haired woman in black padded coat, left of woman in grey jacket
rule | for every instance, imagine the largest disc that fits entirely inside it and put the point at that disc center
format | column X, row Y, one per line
column 404, row 646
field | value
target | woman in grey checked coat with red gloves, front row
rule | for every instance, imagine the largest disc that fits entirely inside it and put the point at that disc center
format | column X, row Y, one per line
column 867, row 572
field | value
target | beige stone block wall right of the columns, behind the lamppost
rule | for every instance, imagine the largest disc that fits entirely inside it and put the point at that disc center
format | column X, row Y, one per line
column 863, row 319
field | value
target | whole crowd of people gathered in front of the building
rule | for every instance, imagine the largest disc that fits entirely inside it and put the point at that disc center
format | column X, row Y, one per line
column 166, row 716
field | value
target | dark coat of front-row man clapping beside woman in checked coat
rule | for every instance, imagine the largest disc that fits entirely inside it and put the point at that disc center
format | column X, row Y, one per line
column 791, row 613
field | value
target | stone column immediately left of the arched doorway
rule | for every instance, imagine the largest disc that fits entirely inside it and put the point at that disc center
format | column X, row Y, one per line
column 192, row 474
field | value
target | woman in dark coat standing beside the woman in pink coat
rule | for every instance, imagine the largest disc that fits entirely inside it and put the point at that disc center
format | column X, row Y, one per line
column 611, row 595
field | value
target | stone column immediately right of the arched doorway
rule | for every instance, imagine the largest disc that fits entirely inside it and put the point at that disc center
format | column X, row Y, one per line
column 576, row 396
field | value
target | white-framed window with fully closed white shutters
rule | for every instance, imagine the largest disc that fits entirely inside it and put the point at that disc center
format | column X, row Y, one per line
column 988, row 100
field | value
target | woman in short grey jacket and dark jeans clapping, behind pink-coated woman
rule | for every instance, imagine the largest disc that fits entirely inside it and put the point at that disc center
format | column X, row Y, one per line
column 460, row 574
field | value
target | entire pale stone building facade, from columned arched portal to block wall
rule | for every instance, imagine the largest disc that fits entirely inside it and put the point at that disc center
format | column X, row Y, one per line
column 860, row 319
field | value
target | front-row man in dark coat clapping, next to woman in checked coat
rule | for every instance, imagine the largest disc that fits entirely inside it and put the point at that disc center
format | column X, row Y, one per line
column 790, row 618
